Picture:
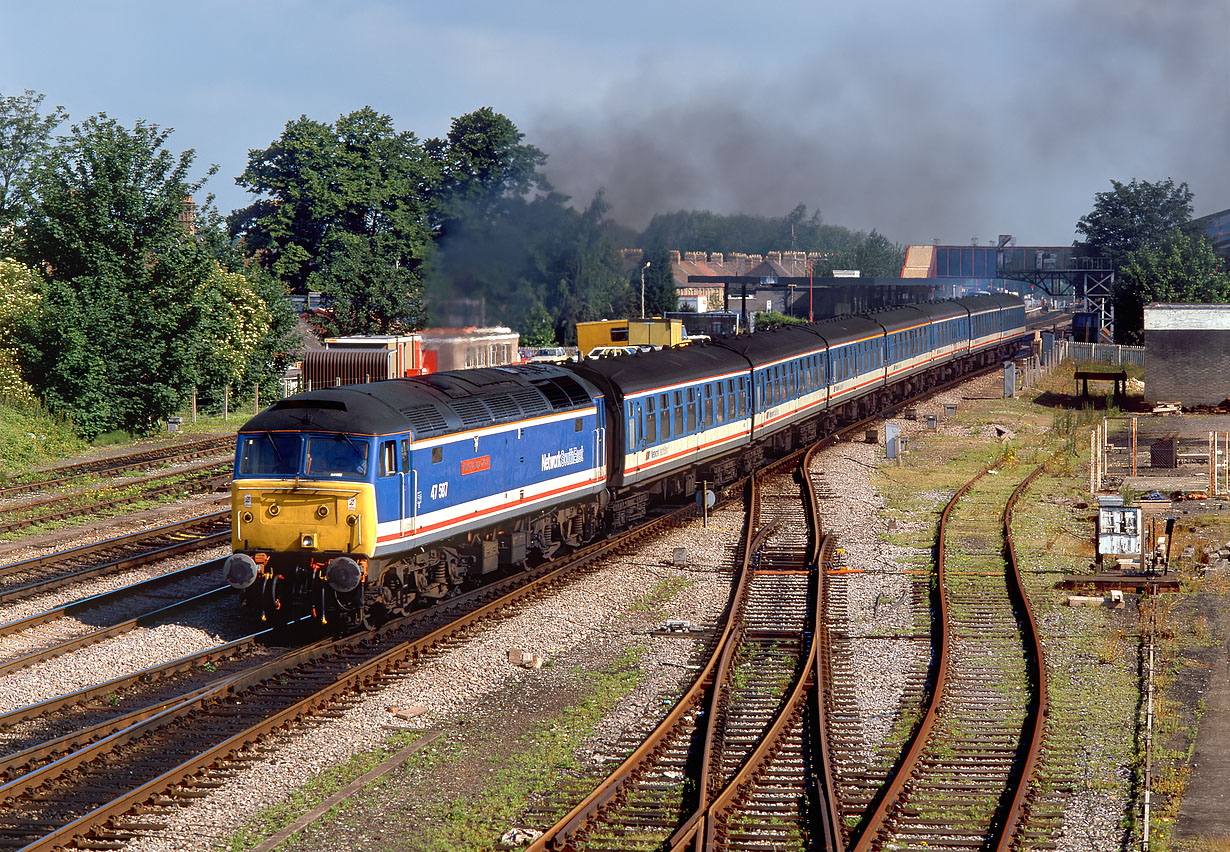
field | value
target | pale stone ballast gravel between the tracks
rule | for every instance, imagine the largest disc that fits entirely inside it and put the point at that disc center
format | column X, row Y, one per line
column 586, row 619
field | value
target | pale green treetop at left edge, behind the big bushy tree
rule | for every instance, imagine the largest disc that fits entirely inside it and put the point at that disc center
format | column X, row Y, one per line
column 25, row 136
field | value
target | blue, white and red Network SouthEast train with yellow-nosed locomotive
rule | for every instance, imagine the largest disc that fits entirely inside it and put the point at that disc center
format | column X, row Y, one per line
column 356, row 503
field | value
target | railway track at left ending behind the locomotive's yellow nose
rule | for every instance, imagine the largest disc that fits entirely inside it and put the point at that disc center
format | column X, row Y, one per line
column 40, row 575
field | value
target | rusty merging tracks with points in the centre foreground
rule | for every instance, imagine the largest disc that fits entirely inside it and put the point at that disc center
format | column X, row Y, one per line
column 726, row 765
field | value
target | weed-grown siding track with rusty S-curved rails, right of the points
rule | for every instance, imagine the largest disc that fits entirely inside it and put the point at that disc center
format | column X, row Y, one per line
column 962, row 779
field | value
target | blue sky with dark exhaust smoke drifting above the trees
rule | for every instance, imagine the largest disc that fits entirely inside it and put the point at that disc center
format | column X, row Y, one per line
column 946, row 120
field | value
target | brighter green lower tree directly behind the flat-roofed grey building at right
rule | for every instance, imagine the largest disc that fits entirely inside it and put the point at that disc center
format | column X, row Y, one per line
column 1183, row 269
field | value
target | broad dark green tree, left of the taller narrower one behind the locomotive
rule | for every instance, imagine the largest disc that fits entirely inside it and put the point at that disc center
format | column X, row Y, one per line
column 344, row 210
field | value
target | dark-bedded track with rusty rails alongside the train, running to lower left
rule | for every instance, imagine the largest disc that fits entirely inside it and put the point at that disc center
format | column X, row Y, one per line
column 78, row 789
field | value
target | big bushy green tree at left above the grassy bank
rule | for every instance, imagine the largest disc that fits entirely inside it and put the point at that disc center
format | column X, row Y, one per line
column 114, row 344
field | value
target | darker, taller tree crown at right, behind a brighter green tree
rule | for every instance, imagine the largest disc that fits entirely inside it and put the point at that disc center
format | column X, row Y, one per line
column 1135, row 216
